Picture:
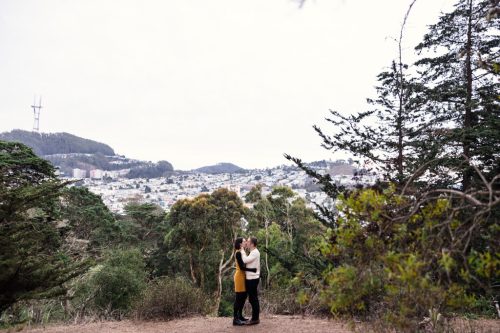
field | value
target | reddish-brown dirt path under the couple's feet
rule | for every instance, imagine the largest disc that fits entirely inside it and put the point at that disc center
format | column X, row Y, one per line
column 286, row 324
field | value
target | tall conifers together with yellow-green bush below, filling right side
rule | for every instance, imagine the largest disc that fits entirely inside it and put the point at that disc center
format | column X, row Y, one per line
column 423, row 241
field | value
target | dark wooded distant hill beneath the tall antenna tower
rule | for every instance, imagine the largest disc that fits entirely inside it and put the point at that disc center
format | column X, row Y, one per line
column 57, row 143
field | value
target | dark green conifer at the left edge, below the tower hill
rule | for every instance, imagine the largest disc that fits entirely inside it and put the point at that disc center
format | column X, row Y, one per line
column 32, row 263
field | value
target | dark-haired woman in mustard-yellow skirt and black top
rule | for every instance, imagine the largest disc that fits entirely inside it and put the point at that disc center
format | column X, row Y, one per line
column 239, row 284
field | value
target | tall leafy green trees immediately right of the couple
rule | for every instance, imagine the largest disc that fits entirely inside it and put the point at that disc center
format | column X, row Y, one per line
column 289, row 235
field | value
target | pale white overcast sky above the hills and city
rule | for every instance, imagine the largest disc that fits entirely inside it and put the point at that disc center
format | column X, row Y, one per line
column 199, row 82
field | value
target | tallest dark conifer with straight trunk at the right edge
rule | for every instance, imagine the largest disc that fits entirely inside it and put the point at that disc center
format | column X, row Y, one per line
column 462, row 108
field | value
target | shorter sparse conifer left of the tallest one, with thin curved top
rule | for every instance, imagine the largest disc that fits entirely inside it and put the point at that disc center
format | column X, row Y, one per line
column 389, row 133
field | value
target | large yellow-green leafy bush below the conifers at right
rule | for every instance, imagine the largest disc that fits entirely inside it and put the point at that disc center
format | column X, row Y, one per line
column 387, row 259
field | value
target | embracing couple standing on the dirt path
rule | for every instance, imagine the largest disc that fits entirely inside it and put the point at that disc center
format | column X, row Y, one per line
column 246, row 280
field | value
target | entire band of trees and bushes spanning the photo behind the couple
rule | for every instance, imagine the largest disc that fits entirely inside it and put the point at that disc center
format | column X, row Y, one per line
column 423, row 241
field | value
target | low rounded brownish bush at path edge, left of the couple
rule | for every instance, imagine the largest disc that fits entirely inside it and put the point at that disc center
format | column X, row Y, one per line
column 167, row 298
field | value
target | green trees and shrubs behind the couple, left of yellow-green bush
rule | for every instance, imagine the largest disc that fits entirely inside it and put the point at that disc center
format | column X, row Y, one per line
column 64, row 255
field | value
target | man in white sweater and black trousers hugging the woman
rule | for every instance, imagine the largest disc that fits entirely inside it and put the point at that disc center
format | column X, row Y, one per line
column 252, row 278
